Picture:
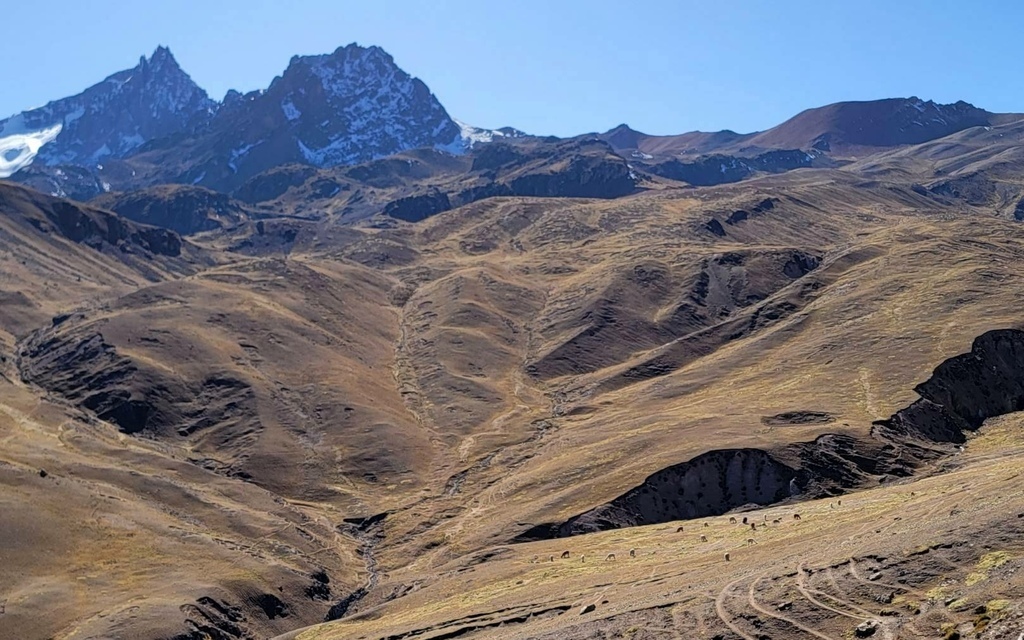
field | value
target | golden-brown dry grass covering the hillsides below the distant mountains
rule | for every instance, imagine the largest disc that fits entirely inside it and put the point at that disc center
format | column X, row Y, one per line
column 392, row 371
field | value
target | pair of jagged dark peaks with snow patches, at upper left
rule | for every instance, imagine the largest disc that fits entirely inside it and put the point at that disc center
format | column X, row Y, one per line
column 152, row 125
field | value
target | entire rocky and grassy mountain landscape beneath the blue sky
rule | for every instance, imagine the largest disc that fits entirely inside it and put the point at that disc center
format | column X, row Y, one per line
column 441, row 382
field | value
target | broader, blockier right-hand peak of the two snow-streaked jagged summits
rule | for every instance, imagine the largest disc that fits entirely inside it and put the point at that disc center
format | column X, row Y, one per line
column 339, row 109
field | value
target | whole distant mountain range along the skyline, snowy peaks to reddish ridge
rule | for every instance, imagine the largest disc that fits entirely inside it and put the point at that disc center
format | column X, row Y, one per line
column 153, row 125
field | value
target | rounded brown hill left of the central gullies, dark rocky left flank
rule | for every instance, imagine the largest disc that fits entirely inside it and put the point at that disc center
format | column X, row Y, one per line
column 273, row 371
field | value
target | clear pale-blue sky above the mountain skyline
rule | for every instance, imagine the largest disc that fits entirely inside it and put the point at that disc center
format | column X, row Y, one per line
column 550, row 67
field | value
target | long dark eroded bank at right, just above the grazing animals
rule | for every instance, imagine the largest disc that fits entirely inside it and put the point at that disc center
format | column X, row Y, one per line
column 960, row 396
